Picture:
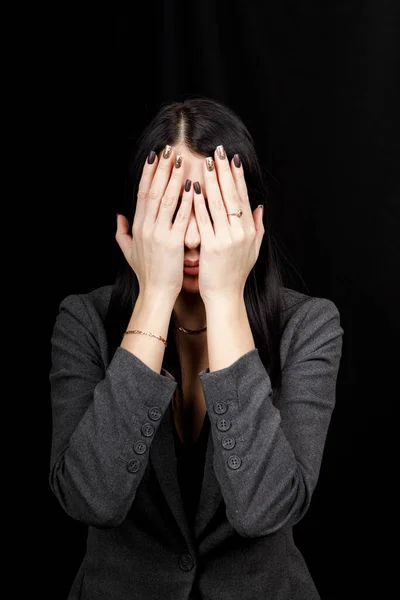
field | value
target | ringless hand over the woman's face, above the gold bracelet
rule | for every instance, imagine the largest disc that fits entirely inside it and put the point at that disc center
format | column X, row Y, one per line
column 155, row 246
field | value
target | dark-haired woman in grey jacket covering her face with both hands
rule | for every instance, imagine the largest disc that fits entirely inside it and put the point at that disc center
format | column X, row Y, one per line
column 191, row 399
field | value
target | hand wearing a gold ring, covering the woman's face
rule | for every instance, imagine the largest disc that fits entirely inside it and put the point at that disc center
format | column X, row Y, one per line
column 229, row 245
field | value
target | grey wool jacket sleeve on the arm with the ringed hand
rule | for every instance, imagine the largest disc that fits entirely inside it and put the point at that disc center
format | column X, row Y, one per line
column 267, row 460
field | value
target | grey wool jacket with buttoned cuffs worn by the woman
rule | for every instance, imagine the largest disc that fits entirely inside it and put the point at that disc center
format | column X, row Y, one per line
column 254, row 489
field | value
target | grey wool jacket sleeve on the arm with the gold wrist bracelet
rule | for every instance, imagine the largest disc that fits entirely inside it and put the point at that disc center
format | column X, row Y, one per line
column 104, row 419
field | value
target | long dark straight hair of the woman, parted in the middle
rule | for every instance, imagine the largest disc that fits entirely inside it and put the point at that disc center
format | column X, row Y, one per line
column 201, row 124
